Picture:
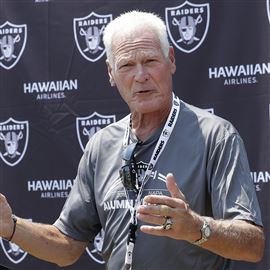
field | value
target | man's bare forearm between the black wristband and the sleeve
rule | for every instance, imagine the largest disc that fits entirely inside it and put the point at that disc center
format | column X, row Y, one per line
column 46, row 242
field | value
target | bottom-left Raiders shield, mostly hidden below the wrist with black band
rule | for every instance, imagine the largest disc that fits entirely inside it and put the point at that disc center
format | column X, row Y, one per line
column 13, row 252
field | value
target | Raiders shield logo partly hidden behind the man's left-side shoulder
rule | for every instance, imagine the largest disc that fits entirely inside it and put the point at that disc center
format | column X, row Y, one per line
column 89, row 125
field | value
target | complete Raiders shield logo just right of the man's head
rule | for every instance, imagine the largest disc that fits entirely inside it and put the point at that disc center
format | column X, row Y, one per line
column 187, row 25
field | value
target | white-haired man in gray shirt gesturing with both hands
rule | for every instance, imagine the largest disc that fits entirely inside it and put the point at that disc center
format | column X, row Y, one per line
column 169, row 184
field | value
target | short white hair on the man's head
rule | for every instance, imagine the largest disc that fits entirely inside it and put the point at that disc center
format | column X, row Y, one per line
column 135, row 20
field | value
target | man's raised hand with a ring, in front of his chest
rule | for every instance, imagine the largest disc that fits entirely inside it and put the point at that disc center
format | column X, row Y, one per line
column 156, row 209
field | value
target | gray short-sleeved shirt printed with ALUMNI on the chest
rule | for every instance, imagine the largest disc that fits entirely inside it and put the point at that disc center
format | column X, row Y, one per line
column 207, row 157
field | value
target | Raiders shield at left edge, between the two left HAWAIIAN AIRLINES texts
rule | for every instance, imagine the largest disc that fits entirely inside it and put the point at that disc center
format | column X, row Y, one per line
column 13, row 140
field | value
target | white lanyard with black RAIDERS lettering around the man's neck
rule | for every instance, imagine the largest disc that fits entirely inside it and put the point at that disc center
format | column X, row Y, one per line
column 159, row 148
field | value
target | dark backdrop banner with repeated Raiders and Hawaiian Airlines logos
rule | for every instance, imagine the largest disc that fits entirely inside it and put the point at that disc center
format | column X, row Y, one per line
column 55, row 94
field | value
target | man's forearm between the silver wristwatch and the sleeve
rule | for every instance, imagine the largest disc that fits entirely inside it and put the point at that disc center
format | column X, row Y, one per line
column 236, row 239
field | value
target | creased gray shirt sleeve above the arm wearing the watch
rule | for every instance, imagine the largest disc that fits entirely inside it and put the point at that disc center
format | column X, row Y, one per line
column 232, row 191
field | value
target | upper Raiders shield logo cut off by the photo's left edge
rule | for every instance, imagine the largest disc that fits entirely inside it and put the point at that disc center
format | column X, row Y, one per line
column 12, row 43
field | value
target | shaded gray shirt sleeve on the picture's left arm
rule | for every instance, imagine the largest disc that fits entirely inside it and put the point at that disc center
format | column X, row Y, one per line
column 79, row 219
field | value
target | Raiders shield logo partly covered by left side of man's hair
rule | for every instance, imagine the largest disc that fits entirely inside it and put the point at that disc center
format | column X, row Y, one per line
column 88, row 35
